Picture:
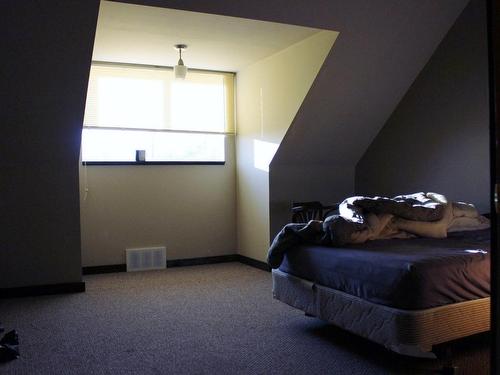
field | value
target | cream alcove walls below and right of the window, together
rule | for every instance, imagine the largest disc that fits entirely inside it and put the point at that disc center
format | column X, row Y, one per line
column 200, row 211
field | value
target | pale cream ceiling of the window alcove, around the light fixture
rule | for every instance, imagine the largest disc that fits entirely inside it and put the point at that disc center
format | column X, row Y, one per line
column 146, row 35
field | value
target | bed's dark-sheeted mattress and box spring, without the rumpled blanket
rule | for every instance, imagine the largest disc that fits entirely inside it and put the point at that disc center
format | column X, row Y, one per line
column 405, row 294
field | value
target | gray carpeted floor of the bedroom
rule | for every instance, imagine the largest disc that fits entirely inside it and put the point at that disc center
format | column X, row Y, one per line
column 214, row 319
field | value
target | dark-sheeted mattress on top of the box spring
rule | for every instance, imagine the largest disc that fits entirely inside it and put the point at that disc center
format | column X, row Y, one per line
column 408, row 274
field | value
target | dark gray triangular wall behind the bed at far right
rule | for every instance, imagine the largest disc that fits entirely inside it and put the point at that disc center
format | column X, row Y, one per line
column 438, row 137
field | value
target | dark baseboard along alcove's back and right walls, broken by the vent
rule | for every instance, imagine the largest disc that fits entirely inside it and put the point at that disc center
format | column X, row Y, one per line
column 93, row 270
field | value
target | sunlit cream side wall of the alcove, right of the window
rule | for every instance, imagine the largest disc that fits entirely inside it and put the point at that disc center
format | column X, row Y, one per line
column 269, row 94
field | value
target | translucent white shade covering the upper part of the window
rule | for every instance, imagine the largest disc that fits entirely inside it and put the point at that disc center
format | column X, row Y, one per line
column 125, row 96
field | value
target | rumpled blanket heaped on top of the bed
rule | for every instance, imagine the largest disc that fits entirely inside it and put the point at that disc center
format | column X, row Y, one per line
column 362, row 219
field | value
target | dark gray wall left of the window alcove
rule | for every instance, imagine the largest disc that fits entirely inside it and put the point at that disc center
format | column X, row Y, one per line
column 46, row 53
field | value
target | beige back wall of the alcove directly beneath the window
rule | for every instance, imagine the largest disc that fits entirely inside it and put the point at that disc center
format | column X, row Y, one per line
column 189, row 209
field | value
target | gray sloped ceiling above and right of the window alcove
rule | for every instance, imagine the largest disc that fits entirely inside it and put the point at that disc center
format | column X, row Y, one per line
column 381, row 48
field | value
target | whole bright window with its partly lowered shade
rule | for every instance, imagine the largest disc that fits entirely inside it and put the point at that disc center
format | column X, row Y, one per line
column 132, row 107
